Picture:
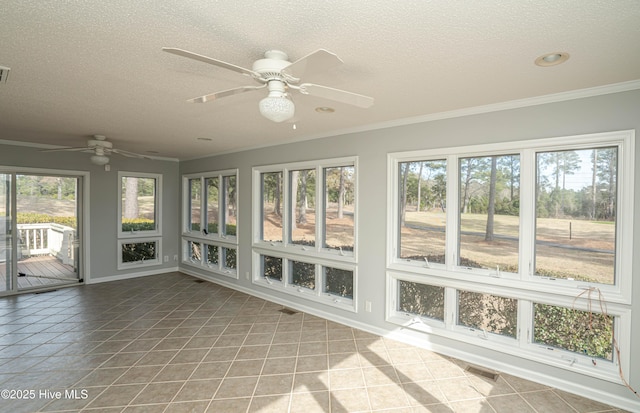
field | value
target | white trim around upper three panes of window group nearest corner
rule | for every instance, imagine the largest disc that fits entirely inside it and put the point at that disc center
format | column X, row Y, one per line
column 210, row 238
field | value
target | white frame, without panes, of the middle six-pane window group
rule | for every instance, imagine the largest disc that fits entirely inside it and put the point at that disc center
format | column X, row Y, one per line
column 287, row 250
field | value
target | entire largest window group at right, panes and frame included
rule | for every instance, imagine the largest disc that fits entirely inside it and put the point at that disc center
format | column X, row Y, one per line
column 532, row 238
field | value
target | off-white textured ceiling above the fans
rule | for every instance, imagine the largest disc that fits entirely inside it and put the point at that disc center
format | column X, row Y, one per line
column 88, row 67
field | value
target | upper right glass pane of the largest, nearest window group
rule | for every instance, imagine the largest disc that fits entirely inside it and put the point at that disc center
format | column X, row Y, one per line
column 576, row 205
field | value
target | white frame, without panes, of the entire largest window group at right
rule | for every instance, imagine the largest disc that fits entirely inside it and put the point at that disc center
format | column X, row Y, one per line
column 523, row 286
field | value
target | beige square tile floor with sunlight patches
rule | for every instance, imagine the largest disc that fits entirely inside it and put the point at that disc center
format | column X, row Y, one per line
column 171, row 343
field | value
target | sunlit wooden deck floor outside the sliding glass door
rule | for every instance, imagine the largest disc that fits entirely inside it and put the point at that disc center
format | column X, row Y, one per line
column 40, row 271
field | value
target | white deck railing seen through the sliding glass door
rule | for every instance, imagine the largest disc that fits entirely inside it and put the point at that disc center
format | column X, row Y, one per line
column 47, row 239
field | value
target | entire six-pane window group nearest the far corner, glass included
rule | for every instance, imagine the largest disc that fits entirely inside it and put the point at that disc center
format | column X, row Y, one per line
column 209, row 233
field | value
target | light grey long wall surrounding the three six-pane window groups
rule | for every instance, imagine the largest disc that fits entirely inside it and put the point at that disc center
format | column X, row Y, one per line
column 620, row 111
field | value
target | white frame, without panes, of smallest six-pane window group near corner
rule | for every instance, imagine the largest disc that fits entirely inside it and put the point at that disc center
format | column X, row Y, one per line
column 218, row 239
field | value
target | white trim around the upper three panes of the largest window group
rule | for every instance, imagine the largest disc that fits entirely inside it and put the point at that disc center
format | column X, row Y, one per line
column 618, row 293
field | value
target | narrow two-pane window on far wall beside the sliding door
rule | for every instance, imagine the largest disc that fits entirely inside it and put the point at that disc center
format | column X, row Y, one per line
column 139, row 212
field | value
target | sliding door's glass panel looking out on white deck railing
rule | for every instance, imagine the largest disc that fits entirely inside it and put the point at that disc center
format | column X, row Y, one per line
column 47, row 230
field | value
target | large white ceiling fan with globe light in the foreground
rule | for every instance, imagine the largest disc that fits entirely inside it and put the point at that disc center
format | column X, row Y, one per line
column 280, row 76
